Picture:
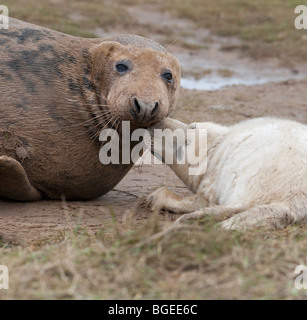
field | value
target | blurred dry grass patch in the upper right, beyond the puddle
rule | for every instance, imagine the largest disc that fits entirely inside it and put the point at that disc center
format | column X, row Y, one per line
column 266, row 28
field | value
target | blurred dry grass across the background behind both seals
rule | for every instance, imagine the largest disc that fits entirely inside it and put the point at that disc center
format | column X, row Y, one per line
column 266, row 28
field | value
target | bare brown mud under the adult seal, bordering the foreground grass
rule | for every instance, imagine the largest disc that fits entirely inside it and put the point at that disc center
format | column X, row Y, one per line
column 47, row 221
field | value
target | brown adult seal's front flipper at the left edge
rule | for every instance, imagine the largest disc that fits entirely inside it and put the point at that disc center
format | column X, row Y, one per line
column 14, row 183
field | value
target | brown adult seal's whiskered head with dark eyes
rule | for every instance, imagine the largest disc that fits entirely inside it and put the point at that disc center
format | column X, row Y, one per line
column 137, row 78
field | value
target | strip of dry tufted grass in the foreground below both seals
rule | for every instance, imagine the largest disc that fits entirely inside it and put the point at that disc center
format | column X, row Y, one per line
column 196, row 261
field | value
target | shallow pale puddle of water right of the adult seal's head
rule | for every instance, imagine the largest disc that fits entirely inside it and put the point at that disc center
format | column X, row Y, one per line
column 245, row 71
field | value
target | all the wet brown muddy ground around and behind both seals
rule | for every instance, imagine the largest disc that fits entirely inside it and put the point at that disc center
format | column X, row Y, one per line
column 282, row 96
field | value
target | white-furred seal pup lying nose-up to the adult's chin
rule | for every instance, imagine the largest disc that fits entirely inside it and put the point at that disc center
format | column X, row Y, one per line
column 256, row 175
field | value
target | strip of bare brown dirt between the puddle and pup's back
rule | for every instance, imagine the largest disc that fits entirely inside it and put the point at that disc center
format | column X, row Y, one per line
column 286, row 99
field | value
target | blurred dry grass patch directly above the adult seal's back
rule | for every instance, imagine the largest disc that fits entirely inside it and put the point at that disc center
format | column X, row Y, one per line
column 79, row 18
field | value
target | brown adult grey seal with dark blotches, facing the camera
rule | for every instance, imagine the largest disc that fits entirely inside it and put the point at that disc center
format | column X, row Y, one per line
column 57, row 92
